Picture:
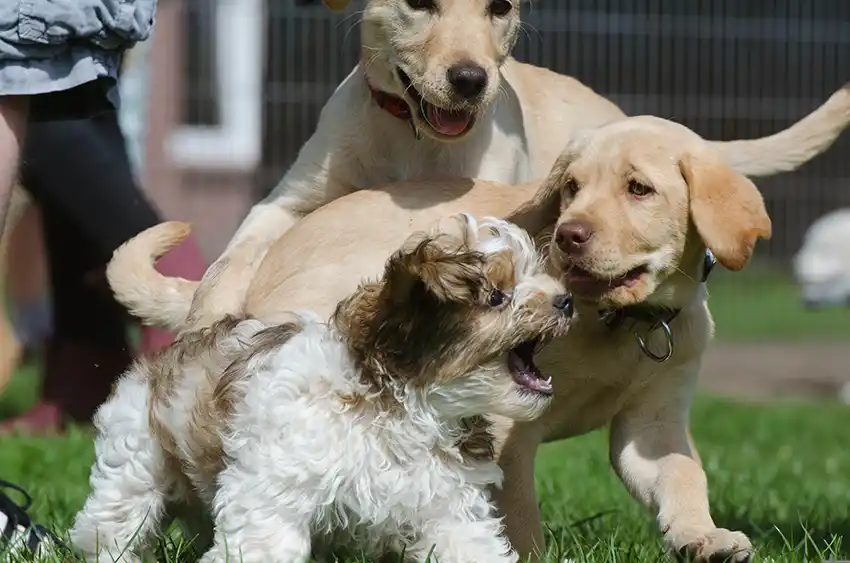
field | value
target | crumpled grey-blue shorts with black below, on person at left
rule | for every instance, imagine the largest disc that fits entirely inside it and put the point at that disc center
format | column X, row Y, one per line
column 66, row 53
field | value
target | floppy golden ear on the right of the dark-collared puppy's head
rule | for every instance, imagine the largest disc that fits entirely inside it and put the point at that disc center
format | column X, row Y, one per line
column 726, row 208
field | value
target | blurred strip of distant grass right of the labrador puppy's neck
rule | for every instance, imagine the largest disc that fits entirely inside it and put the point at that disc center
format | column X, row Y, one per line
column 761, row 304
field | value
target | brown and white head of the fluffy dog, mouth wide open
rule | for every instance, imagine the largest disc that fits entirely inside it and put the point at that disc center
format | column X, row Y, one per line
column 446, row 310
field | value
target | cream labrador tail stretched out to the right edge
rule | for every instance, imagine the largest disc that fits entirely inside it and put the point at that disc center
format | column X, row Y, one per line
column 792, row 147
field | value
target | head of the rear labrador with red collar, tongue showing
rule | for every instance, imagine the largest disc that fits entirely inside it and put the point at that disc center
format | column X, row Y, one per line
column 441, row 56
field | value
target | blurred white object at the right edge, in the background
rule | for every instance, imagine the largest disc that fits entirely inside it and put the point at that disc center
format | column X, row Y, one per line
column 822, row 265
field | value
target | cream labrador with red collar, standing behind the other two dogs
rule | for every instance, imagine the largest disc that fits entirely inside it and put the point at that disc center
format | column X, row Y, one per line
column 437, row 95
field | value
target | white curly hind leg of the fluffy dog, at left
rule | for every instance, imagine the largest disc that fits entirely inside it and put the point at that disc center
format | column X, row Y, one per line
column 129, row 480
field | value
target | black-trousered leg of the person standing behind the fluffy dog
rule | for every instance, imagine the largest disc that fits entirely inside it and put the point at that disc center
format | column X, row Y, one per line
column 79, row 173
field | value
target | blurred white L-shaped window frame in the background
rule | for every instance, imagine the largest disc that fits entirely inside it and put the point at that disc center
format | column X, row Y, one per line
column 236, row 143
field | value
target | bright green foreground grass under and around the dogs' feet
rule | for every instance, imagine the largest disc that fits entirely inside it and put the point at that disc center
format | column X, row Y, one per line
column 779, row 473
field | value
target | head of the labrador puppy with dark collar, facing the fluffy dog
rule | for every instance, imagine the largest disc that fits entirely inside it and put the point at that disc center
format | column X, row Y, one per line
column 641, row 199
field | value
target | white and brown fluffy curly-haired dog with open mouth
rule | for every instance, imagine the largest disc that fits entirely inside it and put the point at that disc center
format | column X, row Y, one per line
column 366, row 430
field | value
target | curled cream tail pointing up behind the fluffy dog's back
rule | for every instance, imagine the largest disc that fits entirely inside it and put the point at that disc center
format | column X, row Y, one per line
column 156, row 299
